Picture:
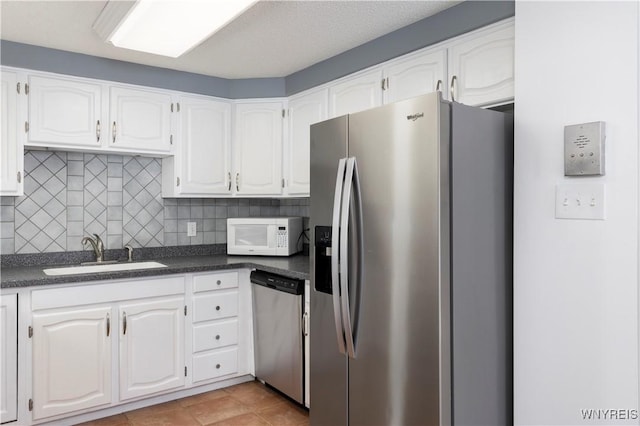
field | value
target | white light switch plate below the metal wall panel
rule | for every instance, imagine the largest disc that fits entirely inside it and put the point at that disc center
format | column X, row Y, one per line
column 580, row 201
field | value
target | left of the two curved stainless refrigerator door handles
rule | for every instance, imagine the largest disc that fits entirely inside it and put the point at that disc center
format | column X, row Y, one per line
column 335, row 241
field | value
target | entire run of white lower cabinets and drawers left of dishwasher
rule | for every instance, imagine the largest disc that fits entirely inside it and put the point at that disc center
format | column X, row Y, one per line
column 82, row 351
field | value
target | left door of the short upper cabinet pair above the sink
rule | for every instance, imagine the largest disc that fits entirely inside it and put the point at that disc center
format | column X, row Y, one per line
column 65, row 113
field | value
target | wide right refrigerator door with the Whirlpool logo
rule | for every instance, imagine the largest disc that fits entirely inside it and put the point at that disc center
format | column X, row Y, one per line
column 401, row 374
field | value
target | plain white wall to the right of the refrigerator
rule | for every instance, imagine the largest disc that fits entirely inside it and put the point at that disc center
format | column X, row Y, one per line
column 576, row 281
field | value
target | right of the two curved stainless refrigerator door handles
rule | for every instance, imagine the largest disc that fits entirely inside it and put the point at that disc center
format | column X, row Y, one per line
column 351, row 189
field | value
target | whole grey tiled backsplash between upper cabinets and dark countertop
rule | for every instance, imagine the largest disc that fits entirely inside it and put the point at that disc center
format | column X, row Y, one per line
column 69, row 195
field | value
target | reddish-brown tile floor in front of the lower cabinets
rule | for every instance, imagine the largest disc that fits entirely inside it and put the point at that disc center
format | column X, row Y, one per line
column 247, row 404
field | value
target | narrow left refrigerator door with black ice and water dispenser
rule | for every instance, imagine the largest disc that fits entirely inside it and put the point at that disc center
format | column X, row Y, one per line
column 328, row 381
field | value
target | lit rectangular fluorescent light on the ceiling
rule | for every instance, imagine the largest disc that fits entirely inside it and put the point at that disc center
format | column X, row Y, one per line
column 173, row 27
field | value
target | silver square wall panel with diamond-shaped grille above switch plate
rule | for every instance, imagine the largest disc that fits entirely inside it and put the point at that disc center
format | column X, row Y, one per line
column 584, row 149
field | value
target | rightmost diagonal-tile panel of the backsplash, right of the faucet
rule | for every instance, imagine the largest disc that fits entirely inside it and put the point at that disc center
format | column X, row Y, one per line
column 143, row 208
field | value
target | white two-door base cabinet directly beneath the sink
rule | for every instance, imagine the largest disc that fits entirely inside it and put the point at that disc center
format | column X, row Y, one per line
column 78, row 332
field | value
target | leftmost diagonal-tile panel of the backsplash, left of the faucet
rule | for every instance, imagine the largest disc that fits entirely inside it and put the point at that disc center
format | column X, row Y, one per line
column 40, row 216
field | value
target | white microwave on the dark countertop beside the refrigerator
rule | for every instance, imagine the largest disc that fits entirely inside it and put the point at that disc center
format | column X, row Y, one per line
column 264, row 236
